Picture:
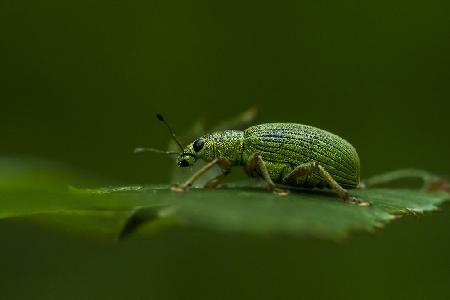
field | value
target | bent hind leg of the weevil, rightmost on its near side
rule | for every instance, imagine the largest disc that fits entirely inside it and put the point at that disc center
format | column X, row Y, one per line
column 309, row 168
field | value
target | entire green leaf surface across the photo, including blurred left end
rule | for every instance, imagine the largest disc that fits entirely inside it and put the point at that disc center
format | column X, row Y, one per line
column 46, row 198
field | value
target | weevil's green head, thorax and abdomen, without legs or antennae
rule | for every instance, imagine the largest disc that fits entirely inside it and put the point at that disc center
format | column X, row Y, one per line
column 283, row 146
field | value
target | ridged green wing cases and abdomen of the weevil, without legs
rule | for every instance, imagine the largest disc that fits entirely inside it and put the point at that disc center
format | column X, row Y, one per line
column 283, row 146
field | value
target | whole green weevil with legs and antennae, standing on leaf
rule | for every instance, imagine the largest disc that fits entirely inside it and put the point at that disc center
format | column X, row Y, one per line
column 284, row 155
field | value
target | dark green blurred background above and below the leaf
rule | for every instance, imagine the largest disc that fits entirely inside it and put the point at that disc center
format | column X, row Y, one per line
column 80, row 82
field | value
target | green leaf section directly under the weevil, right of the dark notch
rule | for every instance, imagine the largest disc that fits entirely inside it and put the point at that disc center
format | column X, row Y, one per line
column 257, row 211
